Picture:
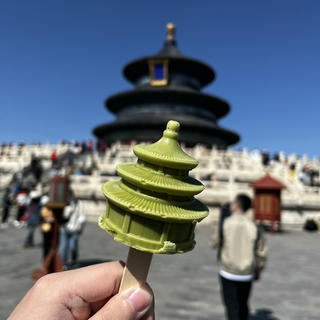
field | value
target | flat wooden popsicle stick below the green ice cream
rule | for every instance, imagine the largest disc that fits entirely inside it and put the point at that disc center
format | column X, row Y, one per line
column 136, row 270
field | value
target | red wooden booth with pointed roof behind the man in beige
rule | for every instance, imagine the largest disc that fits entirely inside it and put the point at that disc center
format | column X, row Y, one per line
column 267, row 200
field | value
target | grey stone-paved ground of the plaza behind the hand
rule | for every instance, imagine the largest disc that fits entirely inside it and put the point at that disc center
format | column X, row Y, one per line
column 186, row 286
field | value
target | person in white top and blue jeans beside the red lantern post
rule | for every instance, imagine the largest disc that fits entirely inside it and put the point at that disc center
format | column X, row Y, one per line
column 71, row 230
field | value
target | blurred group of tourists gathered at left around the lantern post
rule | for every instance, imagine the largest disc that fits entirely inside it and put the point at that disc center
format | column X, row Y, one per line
column 25, row 205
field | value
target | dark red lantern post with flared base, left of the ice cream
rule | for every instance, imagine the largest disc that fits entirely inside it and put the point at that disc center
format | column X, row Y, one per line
column 59, row 192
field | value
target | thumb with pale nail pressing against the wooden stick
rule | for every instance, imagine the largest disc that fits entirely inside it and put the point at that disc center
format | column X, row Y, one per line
column 132, row 304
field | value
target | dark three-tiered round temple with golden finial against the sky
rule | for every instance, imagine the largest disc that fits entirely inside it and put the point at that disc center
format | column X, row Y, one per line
column 167, row 87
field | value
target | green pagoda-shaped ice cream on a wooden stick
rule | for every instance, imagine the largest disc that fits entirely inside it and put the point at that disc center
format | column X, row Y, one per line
column 152, row 208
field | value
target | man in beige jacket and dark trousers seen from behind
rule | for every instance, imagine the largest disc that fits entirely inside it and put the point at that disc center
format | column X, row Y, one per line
column 242, row 256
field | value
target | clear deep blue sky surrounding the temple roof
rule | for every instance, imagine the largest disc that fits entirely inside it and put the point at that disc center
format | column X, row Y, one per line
column 59, row 61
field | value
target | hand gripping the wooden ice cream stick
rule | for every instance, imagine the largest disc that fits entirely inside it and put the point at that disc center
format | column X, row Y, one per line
column 85, row 293
